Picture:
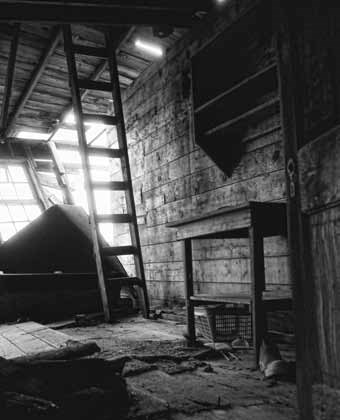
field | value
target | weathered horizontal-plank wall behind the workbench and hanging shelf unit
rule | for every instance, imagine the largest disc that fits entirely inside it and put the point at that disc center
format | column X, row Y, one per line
column 173, row 178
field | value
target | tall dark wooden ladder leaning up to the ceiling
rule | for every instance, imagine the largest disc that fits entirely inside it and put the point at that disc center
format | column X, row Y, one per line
column 108, row 53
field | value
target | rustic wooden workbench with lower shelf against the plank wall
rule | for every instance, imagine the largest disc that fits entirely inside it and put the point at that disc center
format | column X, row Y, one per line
column 253, row 220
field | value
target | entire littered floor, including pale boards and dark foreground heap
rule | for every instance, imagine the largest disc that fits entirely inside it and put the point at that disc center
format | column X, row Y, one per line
column 135, row 369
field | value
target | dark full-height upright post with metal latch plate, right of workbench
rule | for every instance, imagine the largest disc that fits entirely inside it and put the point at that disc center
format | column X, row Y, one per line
column 291, row 116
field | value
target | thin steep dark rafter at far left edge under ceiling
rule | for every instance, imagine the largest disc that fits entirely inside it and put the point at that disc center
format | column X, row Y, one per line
column 9, row 80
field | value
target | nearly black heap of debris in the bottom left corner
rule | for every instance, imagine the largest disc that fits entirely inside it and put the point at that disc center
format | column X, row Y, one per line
column 63, row 389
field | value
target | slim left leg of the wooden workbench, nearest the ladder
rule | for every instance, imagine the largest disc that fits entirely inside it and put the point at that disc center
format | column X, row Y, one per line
column 189, row 290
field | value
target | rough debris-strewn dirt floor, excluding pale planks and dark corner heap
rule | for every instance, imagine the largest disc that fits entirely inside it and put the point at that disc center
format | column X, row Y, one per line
column 167, row 380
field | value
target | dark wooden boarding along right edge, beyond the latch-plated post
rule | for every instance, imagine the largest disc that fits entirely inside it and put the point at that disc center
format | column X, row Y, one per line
column 319, row 166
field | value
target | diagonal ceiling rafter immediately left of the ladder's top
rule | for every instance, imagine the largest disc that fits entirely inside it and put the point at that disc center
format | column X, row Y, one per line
column 31, row 84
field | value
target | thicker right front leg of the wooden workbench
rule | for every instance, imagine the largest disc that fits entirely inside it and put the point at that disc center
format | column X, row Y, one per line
column 257, row 288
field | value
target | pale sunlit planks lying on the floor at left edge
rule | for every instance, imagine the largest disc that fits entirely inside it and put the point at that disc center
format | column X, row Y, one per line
column 30, row 338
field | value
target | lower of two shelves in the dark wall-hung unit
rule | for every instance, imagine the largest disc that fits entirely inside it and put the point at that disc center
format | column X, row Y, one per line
column 264, row 110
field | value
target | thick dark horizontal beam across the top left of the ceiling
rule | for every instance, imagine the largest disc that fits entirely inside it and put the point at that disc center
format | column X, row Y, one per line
column 96, row 13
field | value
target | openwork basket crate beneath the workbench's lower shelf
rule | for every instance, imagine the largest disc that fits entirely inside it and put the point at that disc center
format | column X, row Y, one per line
column 220, row 323
